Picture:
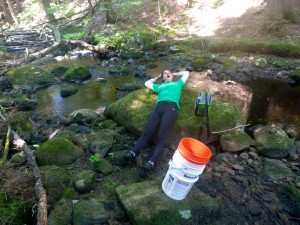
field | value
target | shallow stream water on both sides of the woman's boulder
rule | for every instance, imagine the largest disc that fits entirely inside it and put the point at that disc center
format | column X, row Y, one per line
column 259, row 101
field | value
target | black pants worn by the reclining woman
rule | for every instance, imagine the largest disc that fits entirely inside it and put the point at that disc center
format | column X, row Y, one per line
column 164, row 116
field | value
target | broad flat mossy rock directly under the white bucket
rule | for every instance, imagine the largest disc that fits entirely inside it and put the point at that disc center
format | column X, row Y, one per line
column 146, row 204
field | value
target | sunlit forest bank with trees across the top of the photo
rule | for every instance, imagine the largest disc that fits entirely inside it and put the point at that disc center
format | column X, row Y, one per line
column 109, row 20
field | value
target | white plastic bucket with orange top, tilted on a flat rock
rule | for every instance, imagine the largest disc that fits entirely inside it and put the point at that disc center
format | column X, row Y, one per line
column 187, row 164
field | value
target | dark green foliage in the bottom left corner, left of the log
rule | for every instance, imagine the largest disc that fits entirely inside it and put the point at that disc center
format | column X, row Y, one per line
column 11, row 210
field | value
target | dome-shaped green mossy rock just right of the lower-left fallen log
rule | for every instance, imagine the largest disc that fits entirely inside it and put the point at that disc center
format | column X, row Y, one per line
column 57, row 151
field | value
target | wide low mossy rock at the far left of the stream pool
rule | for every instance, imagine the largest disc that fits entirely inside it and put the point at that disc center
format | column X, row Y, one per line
column 30, row 75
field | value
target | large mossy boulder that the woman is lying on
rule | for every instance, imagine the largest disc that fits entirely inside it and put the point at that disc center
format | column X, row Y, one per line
column 133, row 111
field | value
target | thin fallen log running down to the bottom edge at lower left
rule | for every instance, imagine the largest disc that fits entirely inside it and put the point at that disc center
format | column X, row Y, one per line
column 39, row 189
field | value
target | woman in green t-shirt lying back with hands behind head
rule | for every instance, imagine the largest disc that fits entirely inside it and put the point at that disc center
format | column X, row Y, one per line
column 163, row 115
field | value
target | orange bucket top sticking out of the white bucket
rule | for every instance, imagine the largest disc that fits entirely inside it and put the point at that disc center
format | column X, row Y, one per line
column 194, row 151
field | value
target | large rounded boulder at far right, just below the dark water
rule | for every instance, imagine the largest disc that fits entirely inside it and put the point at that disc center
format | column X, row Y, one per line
column 274, row 142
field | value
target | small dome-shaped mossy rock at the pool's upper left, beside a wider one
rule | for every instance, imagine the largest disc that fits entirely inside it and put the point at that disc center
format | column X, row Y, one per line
column 76, row 73
